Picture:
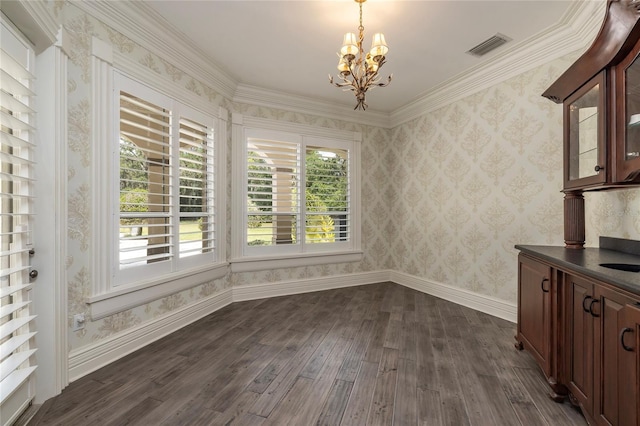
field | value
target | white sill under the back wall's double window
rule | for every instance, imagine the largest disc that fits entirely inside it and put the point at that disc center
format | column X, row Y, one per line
column 250, row 264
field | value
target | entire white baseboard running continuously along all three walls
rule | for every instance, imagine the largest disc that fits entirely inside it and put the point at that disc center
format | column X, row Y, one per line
column 87, row 359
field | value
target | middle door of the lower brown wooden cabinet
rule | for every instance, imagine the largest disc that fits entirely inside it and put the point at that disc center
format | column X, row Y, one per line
column 579, row 340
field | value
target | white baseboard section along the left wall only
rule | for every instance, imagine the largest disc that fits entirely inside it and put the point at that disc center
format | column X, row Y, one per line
column 89, row 358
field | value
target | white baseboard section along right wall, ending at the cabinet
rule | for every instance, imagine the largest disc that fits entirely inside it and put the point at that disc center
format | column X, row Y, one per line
column 488, row 305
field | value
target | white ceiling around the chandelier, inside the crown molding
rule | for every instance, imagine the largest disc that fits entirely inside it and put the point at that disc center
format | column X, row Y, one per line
column 290, row 46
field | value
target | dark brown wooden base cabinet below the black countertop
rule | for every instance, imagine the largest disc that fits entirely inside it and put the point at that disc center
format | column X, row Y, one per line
column 585, row 335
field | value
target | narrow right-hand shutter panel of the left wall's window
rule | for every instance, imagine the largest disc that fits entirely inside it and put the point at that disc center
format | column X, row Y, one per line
column 197, row 218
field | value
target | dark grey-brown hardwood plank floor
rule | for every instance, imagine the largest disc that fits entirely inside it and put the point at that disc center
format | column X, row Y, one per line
column 377, row 355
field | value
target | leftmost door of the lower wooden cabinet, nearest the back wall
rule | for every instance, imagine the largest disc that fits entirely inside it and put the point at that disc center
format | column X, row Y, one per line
column 534, row 310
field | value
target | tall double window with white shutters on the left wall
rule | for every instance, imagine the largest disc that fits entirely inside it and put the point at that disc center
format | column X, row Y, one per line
column 166, row 169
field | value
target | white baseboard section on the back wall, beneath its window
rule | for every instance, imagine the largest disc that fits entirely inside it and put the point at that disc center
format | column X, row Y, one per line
column 284, row 288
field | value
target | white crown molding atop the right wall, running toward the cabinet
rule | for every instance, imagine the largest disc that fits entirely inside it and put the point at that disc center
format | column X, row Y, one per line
column 575, row 31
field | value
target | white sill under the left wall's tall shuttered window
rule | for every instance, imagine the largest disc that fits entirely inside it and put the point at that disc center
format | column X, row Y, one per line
column 126, row 297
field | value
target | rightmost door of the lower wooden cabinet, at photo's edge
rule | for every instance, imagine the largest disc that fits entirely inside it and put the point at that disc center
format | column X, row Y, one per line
column 613, row 364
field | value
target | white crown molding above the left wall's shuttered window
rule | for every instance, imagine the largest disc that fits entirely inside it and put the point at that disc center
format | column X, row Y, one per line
column 142, row 24
